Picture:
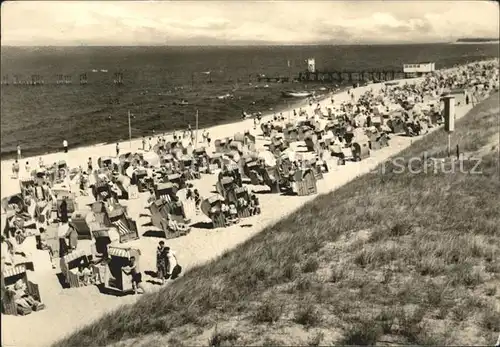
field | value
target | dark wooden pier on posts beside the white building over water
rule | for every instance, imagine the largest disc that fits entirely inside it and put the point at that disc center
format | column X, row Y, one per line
column 350, row 76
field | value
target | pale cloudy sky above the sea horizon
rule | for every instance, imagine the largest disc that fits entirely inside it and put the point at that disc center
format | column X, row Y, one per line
column 130, row 23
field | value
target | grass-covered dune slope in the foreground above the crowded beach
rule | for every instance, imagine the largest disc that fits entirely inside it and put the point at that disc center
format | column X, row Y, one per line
column 388, row 258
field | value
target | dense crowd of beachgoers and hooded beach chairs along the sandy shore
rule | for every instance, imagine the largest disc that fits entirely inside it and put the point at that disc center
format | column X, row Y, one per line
column 85, row 220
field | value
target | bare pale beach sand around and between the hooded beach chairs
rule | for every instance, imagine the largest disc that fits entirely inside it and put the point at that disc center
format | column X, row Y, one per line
column 70, row 309
